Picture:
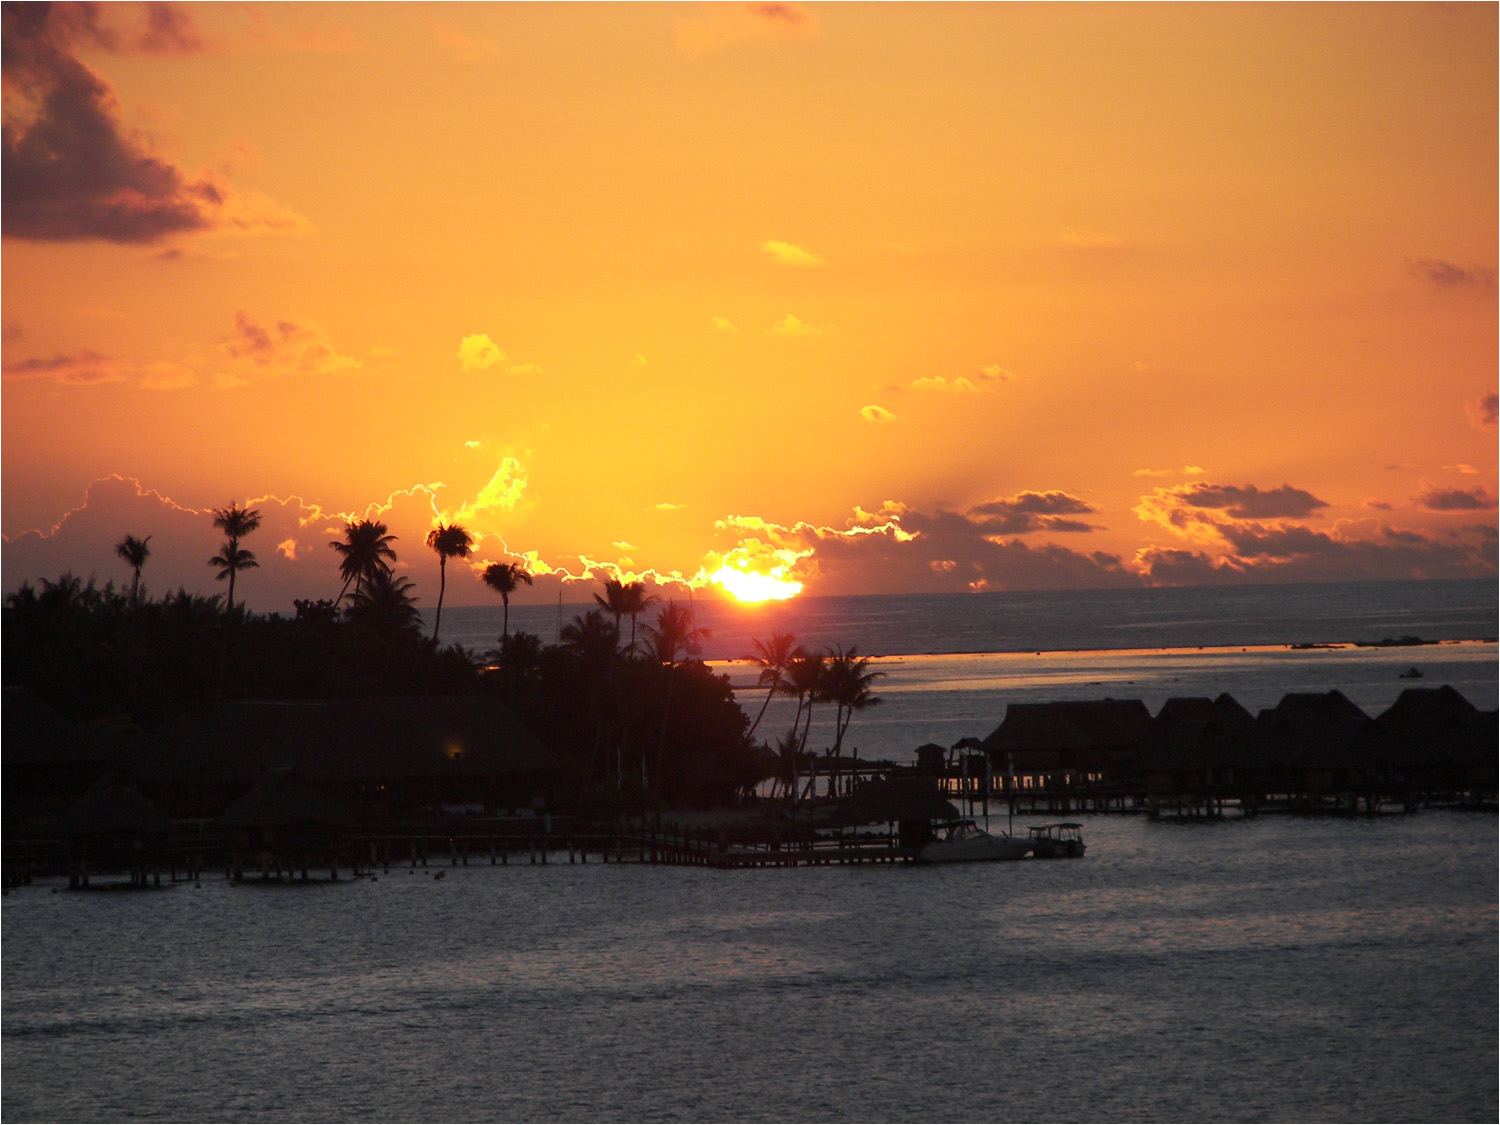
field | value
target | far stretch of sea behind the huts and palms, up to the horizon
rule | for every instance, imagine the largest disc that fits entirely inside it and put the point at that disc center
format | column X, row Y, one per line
column 950, row 664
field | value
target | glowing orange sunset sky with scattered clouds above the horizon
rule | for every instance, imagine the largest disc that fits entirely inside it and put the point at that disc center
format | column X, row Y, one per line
column 869, row 298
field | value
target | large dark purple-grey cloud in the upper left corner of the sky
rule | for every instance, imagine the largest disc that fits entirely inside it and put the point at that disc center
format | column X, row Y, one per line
column 71, row 169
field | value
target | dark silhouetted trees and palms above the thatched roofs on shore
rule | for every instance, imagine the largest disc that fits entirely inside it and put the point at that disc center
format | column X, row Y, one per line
column 637, row 718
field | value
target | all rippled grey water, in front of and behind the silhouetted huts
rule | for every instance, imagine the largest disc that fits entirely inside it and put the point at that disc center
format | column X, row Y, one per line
column 1270, row 970
